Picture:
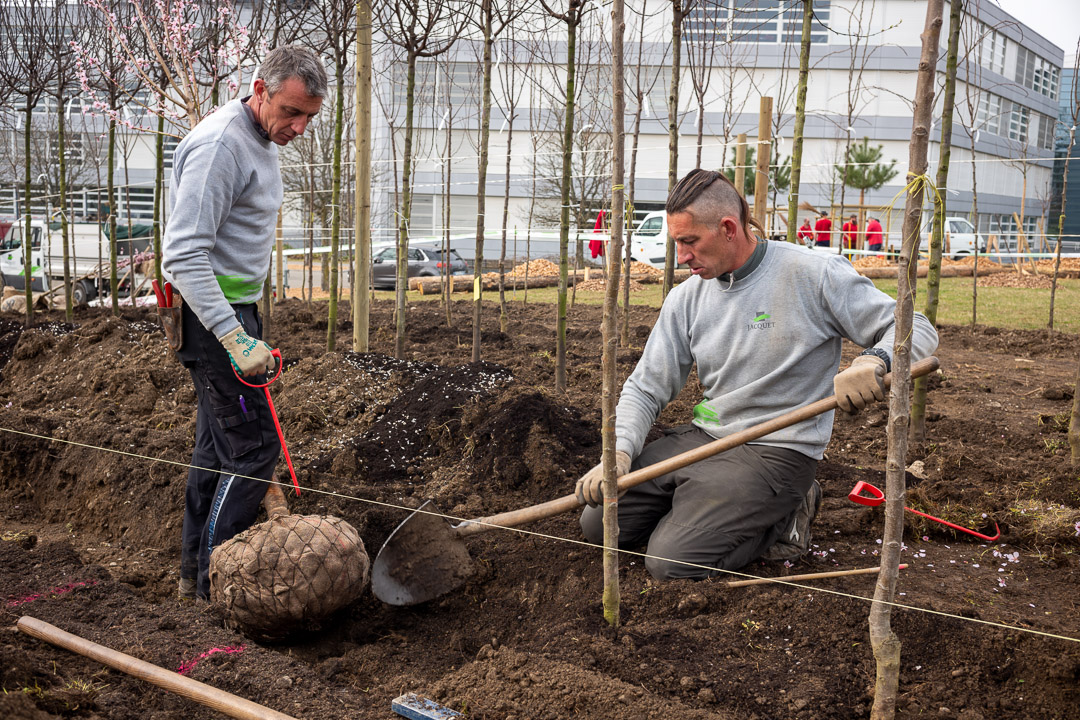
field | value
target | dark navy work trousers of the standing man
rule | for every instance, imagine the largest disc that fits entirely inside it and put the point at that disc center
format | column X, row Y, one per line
column 236, row 441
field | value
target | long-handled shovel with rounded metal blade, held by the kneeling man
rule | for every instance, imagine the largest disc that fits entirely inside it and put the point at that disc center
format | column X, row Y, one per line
column 426, row 558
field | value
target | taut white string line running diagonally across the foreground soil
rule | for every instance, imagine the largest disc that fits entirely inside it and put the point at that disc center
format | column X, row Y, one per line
column 780, row 581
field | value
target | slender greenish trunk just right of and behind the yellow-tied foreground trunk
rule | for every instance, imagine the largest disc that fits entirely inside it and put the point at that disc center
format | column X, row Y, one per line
column 919, row 431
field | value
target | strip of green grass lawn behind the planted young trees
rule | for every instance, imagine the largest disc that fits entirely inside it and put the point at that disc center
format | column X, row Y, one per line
column 1002, row 307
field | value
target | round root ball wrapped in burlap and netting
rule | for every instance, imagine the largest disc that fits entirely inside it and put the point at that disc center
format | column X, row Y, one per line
column 288, row 574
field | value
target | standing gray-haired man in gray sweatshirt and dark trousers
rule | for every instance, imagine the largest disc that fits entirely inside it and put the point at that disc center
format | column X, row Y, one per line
column 226, row 194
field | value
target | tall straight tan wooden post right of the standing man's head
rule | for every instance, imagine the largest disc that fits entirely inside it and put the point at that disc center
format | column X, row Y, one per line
column 362, row 253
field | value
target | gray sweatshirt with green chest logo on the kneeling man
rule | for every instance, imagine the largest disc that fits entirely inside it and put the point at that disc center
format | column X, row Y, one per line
column 769, row 345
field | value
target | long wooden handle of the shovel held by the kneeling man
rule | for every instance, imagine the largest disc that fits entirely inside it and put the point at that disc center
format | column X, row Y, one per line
column 566, row 504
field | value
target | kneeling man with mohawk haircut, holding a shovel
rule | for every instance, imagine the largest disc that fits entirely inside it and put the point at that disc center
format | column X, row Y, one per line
column 764, row 323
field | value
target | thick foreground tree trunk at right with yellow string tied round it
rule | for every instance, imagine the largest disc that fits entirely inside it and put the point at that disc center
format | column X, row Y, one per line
column 885, row 643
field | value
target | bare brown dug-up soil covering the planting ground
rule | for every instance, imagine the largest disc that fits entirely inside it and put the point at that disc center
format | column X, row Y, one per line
column 98, row 422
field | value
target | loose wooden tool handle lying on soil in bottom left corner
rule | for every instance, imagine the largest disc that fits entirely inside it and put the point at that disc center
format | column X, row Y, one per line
column 227, row 703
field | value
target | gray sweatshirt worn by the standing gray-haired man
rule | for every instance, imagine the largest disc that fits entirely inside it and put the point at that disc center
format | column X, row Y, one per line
column 226, row 193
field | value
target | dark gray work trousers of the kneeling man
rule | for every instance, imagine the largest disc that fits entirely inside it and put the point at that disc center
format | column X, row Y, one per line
column 719, row 514
